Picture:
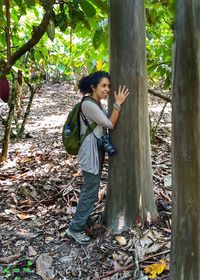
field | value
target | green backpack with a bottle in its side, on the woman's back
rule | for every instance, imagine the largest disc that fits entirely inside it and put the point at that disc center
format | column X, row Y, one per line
column 71, row 137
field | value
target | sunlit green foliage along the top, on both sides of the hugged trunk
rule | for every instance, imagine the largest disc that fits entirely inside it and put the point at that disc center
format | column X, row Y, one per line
column 81, row 38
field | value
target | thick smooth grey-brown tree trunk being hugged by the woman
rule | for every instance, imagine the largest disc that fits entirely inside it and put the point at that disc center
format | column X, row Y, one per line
column 130, row 188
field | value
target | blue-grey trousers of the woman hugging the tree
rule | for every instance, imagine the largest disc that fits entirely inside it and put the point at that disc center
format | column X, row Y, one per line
column 88, row 197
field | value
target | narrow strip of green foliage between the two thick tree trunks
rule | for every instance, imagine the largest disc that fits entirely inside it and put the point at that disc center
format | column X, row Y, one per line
column 160, row 17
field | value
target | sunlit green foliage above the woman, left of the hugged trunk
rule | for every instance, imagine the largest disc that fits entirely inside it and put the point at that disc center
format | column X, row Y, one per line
column 81, row 36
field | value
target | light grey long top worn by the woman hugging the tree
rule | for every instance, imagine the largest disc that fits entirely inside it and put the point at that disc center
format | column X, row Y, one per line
column 88, row 153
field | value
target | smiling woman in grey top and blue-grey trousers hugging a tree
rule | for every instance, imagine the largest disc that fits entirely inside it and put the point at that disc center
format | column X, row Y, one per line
column 91, row 153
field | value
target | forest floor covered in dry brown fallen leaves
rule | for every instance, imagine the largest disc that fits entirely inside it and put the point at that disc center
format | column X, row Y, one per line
column 39, row 187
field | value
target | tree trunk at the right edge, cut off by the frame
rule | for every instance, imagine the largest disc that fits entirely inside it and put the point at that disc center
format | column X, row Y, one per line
column 185, row 253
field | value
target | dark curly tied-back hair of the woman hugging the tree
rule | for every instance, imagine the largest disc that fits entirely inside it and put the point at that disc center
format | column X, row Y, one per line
column 86, row 83
